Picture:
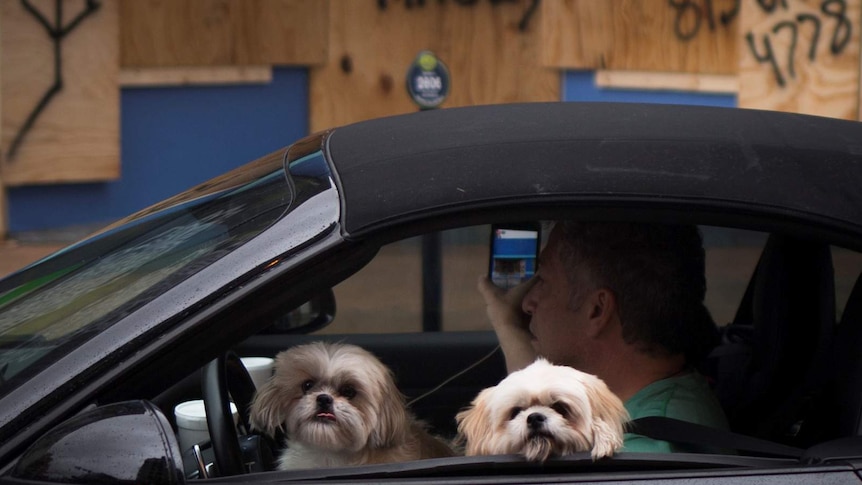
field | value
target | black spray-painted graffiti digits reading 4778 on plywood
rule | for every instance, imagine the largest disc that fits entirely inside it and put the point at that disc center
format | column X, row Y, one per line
column 834, row 20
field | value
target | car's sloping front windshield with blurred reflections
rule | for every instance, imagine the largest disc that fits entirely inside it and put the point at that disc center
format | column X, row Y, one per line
column 56, row 304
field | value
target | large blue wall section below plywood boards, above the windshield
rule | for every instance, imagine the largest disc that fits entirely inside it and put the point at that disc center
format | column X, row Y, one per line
column 172, row 139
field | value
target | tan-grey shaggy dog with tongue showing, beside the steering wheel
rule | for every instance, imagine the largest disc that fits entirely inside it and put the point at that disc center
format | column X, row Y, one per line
column 339, row 406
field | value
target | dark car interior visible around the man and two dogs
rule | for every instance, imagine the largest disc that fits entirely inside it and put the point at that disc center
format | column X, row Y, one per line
column 786, row 371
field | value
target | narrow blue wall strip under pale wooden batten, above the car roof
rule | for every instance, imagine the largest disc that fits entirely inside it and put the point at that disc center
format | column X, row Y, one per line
column 581, row 86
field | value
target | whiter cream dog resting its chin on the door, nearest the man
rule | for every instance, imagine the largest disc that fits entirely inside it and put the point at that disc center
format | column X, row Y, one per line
column 544, row 410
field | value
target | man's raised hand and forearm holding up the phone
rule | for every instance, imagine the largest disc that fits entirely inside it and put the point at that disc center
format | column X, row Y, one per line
column 503, row 308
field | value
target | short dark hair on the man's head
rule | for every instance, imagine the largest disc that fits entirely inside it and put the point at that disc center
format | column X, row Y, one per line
column 657, row 274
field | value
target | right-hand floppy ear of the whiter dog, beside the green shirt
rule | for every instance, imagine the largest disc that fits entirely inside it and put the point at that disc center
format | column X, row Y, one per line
column 609, row 419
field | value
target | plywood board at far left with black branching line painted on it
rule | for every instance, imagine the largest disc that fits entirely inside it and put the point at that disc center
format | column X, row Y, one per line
column 76, row 136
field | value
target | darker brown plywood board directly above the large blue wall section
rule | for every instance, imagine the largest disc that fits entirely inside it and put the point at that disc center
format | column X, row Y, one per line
column 170, row 33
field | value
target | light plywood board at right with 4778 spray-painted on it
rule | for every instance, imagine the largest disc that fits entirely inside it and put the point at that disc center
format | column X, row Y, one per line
column 801, row 56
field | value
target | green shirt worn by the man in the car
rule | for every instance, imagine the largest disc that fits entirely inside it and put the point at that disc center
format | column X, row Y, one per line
column 687, row 397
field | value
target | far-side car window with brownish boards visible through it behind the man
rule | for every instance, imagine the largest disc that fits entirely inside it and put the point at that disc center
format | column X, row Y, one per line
column 386, row 295
